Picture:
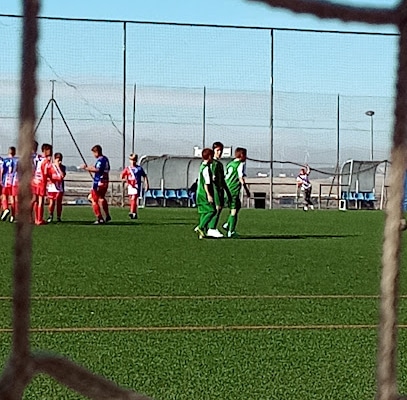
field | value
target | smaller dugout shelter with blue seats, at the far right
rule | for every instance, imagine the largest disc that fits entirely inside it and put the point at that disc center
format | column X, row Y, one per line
column 358, row 184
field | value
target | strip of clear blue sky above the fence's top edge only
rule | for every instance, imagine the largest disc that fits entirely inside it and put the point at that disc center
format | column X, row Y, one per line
column 228, row 12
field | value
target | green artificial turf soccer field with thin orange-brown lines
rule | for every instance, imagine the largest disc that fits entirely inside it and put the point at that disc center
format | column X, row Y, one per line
column 287, row 311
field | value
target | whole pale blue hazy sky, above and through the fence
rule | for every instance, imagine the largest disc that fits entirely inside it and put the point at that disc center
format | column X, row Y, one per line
column 85, row 60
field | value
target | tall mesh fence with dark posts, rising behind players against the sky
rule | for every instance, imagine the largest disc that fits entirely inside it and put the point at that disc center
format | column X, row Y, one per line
column 286, row 95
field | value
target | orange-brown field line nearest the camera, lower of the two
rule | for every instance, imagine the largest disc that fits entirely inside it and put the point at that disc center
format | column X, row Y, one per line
column 198, row 328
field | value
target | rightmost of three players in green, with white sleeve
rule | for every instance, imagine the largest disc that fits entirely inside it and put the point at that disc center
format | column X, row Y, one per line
column 235, row 179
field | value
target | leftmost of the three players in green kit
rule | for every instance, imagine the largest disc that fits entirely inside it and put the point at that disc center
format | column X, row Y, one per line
column 204, row 193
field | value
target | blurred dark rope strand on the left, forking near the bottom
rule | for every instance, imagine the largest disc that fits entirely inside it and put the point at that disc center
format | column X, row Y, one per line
column 23, row 365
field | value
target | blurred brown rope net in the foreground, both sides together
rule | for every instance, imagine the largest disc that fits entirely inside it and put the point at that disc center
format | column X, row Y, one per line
column 23, row 365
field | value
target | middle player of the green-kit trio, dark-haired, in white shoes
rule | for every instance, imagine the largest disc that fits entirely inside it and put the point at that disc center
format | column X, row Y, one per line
column 219, row 189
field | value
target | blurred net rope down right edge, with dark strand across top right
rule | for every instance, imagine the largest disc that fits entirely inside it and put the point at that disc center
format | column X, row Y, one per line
column 386, row 369
